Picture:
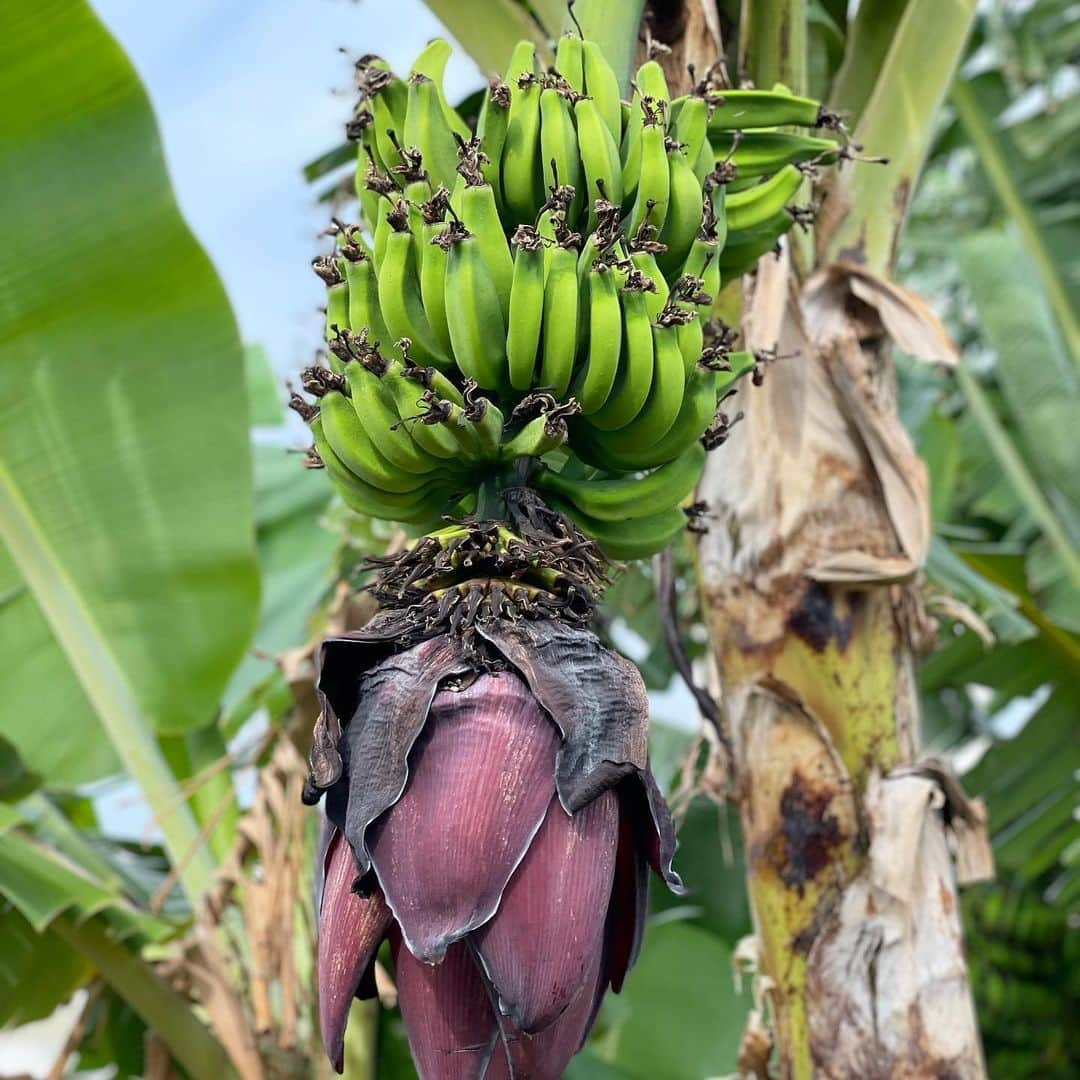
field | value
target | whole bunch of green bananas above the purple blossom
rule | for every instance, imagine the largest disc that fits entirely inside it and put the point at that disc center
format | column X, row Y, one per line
column 530, row 303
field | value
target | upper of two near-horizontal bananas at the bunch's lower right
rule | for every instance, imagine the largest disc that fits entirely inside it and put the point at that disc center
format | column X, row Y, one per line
column 625, row 498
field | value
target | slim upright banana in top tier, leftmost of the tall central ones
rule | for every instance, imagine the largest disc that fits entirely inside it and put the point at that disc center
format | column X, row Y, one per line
column 522, row 171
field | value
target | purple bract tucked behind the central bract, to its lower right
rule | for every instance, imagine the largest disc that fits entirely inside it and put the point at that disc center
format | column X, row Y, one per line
column 543, row 943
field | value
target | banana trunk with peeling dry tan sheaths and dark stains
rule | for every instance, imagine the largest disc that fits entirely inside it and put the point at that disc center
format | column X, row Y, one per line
column 809, row 579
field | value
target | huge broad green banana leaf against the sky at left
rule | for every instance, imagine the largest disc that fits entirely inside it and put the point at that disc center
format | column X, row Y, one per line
column 129, row 584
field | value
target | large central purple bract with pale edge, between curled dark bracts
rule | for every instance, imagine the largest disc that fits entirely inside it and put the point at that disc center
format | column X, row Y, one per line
column 481, row 778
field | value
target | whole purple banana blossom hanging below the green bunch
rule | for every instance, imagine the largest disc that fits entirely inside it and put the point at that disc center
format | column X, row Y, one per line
column 491, row 813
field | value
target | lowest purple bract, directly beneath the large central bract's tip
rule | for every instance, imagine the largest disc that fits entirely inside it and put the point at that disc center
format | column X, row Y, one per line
column 448, row 1014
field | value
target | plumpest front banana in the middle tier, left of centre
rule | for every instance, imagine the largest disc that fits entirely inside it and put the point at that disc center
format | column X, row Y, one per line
column 475, row 312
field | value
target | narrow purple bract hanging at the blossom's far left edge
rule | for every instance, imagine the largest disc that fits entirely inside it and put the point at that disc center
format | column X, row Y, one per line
column 350, row 931
